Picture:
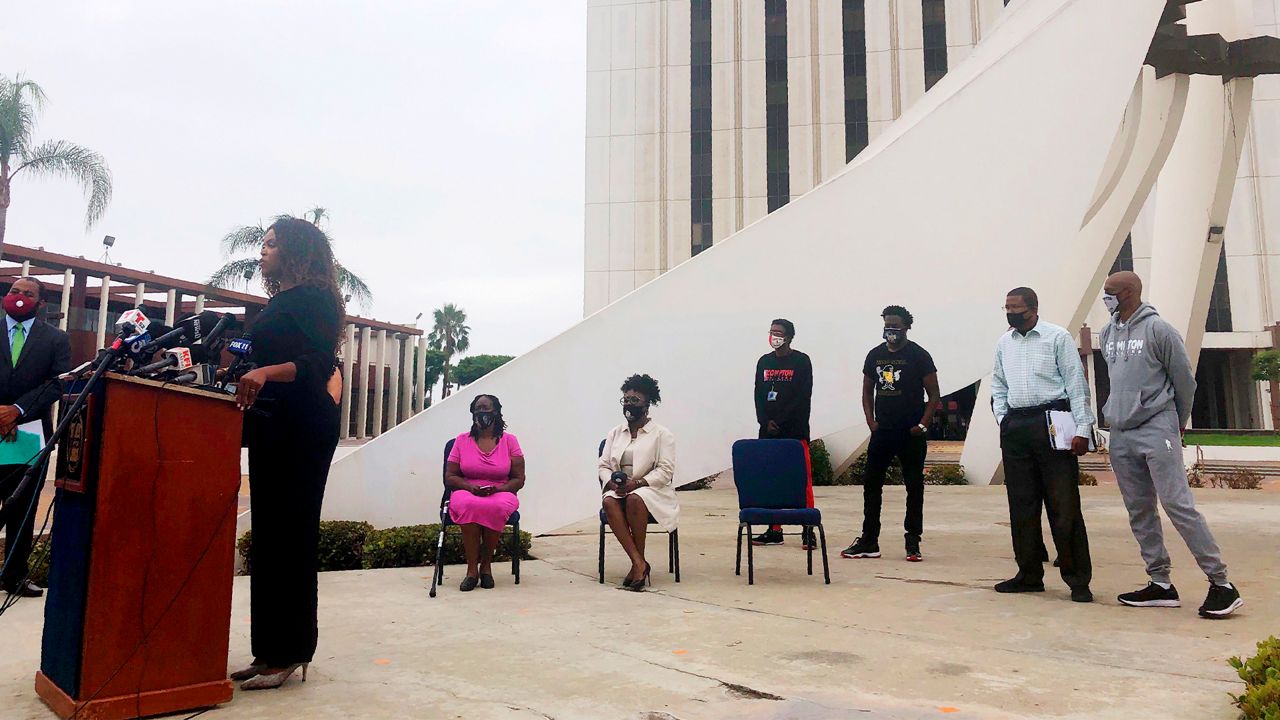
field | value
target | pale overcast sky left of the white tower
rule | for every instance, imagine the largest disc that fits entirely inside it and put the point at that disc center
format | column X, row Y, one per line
column 445, row 139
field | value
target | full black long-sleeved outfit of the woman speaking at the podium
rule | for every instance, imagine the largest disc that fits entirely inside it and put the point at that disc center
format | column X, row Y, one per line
column 291, row 436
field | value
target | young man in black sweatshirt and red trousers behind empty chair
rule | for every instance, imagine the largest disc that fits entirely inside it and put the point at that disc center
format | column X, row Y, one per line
column 784, row 391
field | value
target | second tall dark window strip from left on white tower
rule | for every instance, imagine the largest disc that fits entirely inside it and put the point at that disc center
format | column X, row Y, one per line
column 776, row 103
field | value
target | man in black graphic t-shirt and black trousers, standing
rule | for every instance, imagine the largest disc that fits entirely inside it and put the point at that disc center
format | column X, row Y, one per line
column 897, row 377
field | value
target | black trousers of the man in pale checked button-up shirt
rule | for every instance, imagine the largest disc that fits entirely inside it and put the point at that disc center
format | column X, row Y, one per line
column 1035, row 476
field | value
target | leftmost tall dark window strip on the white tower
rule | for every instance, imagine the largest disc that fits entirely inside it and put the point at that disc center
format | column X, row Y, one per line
column 701, row 125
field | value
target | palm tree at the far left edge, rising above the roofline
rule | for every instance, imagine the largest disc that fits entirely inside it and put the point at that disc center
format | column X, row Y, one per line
column 20, row 103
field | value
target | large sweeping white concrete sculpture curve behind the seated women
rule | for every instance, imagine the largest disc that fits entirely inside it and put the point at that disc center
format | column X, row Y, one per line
column 982, row 186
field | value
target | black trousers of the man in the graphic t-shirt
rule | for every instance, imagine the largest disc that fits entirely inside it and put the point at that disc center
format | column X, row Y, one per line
column 911, row 452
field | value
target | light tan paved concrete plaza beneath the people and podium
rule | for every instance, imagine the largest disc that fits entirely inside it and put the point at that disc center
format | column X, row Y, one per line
column 886, row 640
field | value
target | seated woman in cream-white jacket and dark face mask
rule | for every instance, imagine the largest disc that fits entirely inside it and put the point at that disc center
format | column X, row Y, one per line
column 637, row 468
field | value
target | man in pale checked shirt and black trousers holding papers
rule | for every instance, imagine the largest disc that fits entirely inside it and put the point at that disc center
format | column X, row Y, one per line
column 1039, row 370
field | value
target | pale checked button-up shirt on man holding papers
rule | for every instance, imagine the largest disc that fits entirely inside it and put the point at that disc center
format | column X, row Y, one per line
column 1040, row 368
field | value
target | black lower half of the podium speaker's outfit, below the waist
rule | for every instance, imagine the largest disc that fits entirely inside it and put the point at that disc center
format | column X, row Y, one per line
column 289, row 466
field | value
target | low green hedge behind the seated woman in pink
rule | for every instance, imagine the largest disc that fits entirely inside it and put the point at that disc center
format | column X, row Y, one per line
column 353, row 546
